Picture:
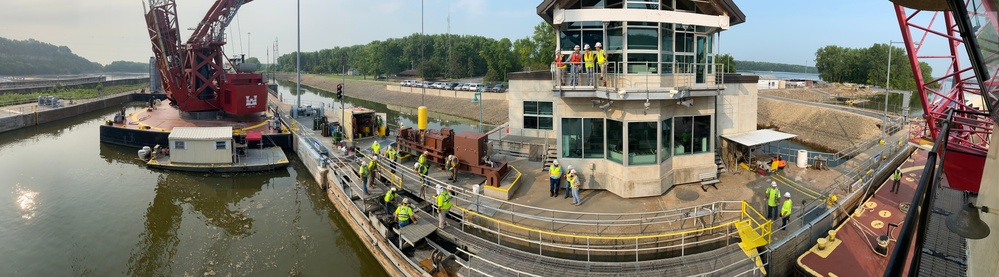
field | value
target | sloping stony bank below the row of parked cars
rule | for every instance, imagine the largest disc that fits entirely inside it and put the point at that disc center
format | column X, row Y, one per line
column 493, row 111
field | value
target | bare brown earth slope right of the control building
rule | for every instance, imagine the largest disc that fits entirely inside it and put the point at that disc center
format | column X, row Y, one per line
column 819, row 127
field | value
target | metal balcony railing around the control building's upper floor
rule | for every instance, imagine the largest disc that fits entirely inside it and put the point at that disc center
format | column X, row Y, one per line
column 636, row 76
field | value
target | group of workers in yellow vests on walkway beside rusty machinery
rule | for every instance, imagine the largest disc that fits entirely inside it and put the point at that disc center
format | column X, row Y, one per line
column 404, row 212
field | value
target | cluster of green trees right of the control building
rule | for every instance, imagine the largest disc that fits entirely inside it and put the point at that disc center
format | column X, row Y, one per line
column 868, row 66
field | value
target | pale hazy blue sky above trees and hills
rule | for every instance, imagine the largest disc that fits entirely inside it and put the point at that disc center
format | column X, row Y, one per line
column 782, row 31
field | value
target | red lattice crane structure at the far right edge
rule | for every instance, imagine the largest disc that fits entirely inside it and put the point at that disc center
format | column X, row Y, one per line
column 931, row 22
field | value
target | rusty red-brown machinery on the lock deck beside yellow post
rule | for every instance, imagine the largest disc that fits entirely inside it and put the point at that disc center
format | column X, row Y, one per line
column 469, row 147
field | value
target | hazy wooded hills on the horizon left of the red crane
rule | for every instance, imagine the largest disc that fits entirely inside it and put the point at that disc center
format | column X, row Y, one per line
column 32, row 57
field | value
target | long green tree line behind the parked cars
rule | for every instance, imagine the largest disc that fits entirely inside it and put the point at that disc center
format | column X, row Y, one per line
column 434, row 56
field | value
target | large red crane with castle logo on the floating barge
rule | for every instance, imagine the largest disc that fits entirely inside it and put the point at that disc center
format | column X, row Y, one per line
column 193, row 74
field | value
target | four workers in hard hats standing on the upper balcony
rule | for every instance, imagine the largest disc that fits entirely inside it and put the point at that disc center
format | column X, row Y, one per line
column 590, row 60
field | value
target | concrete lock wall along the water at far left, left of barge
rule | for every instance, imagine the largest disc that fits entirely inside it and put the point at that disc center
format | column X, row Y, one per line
column 39, row 117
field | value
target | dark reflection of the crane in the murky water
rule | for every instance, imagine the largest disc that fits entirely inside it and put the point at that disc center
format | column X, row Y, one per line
column 211, row 199
